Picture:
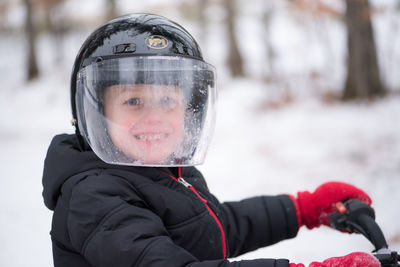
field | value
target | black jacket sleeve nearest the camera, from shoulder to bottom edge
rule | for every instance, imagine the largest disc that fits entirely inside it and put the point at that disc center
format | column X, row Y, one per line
column 110, row 226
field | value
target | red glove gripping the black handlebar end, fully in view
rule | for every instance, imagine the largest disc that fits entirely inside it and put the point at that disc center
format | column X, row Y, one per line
column 313, row 209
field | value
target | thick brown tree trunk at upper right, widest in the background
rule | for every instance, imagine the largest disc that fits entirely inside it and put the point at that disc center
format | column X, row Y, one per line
column 363, row 79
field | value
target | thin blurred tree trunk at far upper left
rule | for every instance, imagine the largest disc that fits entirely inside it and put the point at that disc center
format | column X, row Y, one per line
column 33, row 70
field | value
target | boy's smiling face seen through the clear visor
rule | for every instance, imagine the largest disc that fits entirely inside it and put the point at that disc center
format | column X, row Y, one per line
column 146, row 122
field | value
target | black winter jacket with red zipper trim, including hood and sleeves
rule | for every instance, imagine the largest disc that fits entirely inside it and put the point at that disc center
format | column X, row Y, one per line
column 108, row 215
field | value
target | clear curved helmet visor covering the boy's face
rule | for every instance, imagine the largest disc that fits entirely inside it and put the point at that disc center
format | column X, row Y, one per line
column 147, row 111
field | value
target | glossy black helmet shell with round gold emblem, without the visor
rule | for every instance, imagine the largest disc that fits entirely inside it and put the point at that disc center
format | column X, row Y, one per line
column 128, row 36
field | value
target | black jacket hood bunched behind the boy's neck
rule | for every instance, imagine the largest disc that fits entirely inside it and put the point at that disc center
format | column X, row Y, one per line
column 63, row 160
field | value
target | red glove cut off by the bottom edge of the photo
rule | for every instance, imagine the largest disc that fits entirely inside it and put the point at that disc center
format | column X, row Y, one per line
column 356, row 259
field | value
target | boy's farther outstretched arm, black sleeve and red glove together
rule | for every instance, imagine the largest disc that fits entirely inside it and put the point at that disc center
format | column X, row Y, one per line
column 261, row 221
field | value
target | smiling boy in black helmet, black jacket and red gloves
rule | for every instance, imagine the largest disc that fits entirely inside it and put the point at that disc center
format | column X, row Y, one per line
column 123, row 187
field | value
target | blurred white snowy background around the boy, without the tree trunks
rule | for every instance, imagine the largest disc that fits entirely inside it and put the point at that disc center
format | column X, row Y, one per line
column 262, row 144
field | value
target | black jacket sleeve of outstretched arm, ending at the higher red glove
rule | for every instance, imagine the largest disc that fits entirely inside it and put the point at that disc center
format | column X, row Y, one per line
column 257, row 222
